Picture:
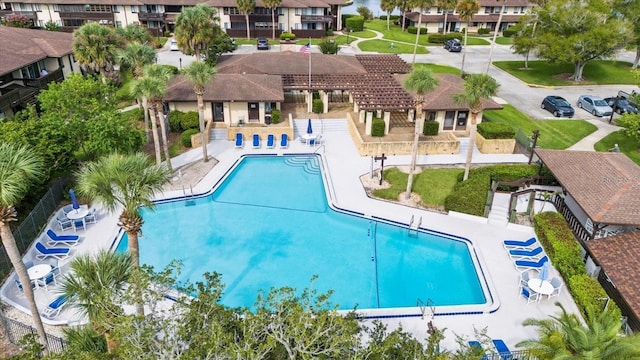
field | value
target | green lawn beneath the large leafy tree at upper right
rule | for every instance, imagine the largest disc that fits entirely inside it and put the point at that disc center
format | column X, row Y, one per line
column 596, row 72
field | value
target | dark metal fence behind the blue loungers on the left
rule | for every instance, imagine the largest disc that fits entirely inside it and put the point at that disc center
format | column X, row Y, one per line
column 34, row 223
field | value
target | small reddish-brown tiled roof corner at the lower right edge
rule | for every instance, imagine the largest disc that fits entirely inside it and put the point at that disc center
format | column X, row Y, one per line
column 619, row 257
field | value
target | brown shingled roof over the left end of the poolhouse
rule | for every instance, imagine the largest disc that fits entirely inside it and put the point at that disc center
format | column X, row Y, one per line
column 229, row 87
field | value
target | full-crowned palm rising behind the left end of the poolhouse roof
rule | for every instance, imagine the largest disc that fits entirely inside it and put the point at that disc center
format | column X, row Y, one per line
column 195, row 28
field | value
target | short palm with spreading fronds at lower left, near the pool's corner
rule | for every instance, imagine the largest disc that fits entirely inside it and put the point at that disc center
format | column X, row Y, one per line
column 94, row 286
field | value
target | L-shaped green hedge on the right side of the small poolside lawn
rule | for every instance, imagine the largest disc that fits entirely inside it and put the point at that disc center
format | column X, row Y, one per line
column 469, row 196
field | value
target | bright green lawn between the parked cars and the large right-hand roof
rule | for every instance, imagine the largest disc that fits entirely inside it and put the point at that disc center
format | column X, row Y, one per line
column 554, row 134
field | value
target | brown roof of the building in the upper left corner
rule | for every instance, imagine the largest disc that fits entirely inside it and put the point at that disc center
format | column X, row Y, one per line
column 21, row 47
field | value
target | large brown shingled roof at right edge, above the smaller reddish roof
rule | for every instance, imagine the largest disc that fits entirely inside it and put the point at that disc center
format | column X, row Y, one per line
column 606, row 185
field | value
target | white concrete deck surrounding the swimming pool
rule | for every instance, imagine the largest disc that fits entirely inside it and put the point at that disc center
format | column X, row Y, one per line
column 344, row 168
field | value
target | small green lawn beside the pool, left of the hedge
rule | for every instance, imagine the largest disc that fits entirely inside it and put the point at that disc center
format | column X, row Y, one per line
column 433, row 185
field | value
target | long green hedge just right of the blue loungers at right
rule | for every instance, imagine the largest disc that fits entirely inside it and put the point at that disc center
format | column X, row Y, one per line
column 558, row 241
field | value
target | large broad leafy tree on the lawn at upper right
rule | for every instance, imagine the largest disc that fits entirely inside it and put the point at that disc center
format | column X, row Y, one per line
column 577, row 32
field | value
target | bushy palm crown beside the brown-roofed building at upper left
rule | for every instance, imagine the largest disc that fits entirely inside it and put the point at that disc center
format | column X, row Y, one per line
column 94, row 46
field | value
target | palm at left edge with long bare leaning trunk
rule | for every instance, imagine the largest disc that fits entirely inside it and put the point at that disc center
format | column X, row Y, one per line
column 19, row 168
